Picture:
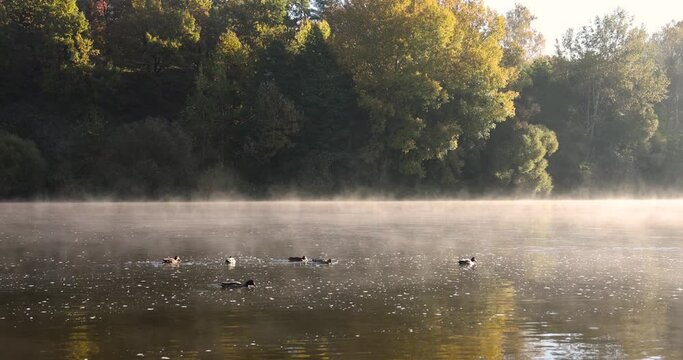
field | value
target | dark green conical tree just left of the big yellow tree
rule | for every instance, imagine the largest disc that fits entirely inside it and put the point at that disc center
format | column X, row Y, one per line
column 324, row 93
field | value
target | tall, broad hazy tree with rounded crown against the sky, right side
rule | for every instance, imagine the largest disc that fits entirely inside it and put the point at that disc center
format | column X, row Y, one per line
column 613, row 85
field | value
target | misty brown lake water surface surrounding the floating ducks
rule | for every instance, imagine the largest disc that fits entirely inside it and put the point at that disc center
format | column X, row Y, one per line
column 555, row 280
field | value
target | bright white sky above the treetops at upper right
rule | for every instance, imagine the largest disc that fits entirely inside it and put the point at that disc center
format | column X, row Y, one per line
column 555, row 17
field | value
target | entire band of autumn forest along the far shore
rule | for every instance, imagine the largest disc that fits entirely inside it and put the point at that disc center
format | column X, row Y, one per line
column 156, row 99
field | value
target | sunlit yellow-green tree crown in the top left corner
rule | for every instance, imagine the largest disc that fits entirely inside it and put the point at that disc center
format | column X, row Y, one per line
column 46, row 46
